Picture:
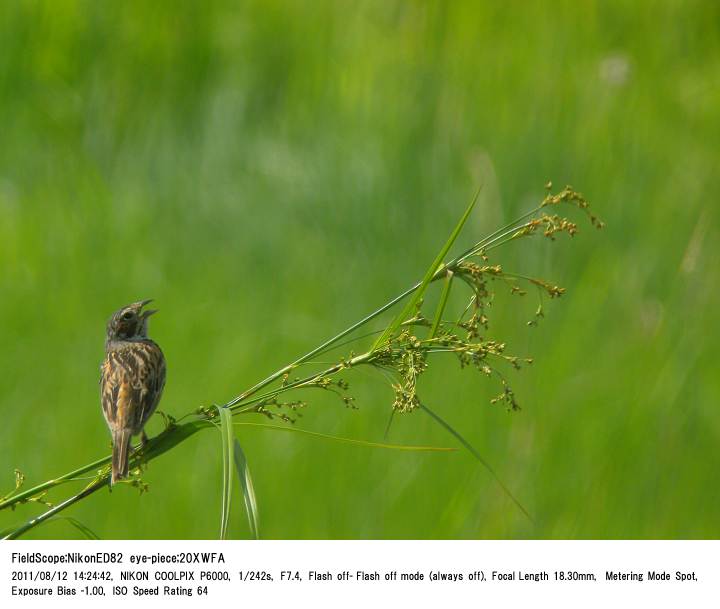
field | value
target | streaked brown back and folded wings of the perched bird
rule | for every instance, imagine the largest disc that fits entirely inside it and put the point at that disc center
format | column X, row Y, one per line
column 132, row 381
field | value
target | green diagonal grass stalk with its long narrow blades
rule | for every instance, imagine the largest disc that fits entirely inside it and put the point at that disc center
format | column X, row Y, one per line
column 251, row 400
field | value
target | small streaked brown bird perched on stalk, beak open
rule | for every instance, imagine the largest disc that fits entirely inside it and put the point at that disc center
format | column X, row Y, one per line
column 131, row 382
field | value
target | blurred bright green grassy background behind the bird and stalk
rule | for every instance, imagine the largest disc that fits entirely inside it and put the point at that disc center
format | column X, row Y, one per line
column 271, row 171
